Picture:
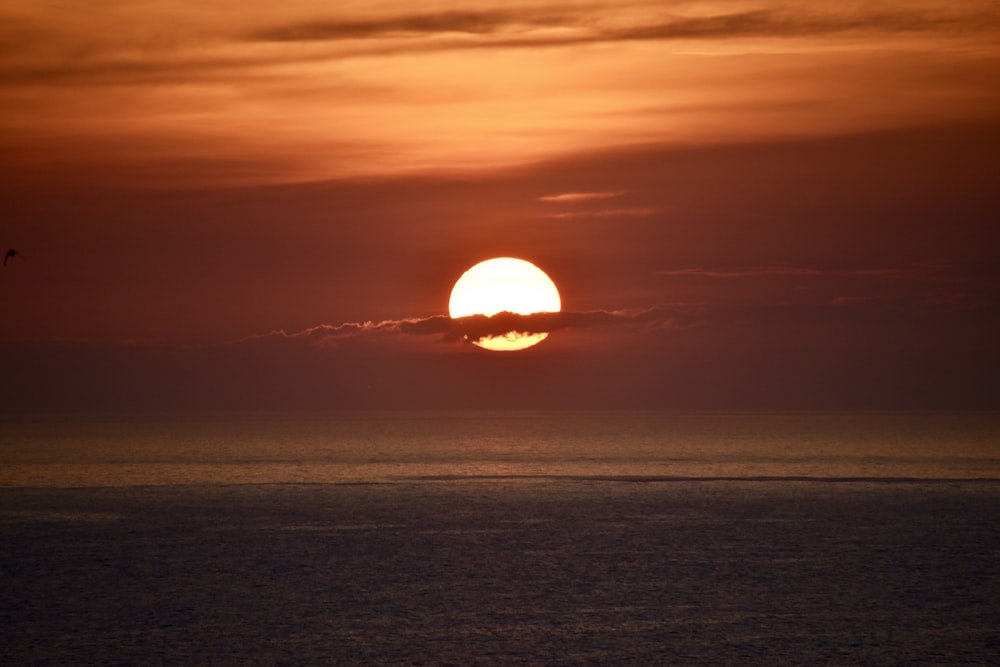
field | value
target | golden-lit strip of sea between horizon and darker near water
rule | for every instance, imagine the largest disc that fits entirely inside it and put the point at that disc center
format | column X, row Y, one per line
column 95, row 449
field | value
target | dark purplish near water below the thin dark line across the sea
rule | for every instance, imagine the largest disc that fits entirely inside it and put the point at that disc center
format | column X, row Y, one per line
column 504, row 572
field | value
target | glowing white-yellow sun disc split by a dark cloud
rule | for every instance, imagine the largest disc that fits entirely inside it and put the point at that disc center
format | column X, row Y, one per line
column 505, row 284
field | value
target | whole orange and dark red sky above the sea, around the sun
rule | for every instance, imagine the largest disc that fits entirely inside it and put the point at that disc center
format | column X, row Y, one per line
column 744, row 203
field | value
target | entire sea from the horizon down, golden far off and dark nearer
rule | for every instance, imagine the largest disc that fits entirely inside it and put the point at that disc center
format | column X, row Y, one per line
column 500, row 538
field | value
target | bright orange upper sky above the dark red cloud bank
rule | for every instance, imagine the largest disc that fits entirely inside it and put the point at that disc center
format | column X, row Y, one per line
column 161, row 92
